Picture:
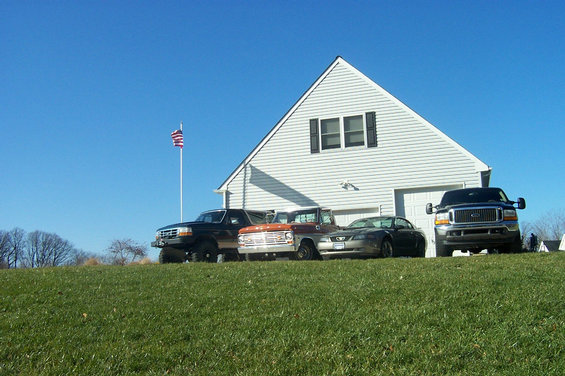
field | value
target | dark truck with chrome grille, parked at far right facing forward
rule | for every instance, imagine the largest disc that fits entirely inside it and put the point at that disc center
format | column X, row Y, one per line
column 474, row 219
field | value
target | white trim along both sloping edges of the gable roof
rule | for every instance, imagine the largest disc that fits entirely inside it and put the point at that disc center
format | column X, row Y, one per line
column 479, row 165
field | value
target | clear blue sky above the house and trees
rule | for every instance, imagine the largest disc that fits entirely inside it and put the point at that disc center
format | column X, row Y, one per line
column 90, row 92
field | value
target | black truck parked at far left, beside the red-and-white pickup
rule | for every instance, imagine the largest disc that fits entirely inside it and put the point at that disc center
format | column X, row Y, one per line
column 213, row 233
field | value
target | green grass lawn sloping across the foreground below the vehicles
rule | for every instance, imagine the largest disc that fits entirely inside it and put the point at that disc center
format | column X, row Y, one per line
column 485, row 315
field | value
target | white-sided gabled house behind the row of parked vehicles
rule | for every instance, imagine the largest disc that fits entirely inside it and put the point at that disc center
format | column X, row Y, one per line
column 349, row 145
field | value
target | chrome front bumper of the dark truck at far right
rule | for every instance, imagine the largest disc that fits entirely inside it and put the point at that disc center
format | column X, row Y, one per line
column 478, row 237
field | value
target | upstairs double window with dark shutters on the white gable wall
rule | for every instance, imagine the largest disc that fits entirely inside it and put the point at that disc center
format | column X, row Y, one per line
column 344, row 132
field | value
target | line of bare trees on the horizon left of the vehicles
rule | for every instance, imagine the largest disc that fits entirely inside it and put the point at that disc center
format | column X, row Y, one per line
column 19, row 249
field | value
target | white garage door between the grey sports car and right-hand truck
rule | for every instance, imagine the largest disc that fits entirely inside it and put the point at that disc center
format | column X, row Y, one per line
column 411, row 204
